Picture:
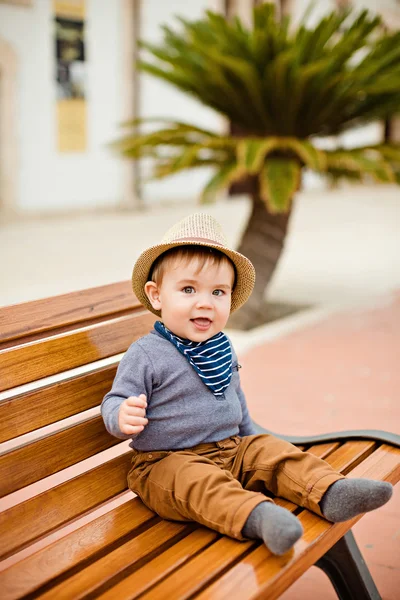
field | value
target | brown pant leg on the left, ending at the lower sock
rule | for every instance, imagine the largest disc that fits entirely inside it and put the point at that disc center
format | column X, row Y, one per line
column 185, row 486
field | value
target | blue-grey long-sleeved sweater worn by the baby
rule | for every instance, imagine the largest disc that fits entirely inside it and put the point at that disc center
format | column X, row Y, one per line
column 181, row 410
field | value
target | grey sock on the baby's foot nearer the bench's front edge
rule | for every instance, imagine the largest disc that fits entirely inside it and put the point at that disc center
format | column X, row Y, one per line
column 276, row 526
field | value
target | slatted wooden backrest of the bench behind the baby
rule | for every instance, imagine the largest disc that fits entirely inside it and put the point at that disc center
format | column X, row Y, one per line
column 58, row 358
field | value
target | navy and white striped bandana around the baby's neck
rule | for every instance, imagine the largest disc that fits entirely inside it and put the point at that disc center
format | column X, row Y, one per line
column 212, row 359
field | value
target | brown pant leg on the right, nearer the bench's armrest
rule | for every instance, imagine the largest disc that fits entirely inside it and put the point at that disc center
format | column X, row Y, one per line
column 264, row 461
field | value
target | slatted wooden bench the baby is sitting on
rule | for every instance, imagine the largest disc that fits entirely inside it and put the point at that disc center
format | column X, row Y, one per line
column 69, row 526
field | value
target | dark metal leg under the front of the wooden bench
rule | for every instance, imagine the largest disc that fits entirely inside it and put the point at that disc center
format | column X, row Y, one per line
column 348, row 571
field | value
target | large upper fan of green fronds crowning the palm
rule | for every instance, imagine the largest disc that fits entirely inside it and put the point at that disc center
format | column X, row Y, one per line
column 271, row 80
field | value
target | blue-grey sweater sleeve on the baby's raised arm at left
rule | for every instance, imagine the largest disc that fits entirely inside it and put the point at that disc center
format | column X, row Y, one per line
column 134, row 377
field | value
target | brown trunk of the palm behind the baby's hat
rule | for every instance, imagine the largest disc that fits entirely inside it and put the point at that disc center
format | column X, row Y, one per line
column 262, row 243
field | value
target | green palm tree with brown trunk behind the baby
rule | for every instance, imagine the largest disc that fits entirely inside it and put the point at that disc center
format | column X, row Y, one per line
column 284, row 90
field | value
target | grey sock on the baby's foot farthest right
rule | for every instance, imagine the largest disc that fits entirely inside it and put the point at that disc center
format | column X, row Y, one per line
column 347, row 498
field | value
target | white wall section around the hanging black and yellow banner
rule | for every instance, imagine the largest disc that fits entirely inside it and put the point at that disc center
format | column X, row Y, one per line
column 48, row 180
